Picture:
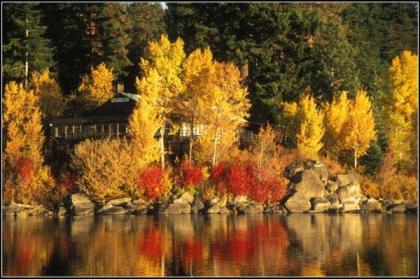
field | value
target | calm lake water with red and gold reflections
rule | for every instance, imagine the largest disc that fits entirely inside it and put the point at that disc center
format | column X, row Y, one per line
column 298, row 244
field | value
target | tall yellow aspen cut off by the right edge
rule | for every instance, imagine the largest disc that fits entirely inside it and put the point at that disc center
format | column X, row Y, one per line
column 402, row 105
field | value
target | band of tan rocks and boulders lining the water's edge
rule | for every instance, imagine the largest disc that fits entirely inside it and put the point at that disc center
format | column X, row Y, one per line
column 312, row 188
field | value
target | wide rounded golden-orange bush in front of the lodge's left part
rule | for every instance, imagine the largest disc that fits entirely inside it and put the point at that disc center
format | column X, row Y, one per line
column 105, row 169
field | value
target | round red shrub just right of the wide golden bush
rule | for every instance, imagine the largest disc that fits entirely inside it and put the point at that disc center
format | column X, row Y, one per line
column 153, row 182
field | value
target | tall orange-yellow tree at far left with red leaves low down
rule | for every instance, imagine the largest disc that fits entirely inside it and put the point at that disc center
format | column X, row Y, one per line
column 23, row 157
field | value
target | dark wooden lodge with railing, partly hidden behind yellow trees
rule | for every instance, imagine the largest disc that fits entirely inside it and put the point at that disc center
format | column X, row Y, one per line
column 110, row 120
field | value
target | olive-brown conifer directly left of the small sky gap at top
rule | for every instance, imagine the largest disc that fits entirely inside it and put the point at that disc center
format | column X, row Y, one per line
column 147, row 24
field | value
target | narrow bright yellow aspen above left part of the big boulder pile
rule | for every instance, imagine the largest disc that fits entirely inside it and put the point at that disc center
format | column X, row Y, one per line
column 311, row 127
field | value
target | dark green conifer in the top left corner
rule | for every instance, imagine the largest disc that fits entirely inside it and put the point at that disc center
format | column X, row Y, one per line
column 25, row 47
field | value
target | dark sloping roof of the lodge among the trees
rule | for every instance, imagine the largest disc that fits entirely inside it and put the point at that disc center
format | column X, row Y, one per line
column 121, row 104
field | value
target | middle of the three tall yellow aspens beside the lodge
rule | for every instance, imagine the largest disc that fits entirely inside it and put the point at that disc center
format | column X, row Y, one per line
column 199, row 77
